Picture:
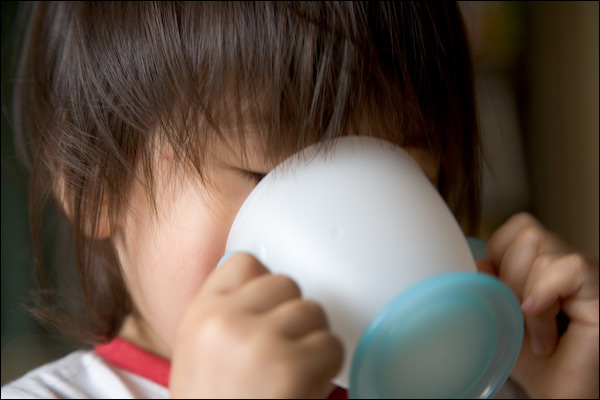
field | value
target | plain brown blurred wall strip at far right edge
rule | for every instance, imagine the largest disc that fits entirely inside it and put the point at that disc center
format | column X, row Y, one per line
column 562, row 122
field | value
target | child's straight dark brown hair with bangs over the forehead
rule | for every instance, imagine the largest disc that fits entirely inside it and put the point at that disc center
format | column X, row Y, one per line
column 102, row 84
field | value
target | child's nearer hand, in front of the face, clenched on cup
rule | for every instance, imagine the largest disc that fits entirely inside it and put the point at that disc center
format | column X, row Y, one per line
column 249, row 334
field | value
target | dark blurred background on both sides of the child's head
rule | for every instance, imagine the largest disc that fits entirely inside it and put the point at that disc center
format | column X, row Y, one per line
column 536, row 67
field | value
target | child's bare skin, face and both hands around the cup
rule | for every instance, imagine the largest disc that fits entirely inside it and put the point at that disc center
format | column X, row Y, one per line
column 240, row 331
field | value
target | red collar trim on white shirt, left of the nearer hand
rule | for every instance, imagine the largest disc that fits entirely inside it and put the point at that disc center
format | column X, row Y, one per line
column 132, row 358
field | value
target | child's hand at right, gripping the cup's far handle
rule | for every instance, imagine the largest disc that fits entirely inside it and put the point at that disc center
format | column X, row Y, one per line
column 548, row 278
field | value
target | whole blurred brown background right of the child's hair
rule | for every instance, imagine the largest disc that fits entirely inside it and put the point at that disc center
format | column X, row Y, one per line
column 536, row 67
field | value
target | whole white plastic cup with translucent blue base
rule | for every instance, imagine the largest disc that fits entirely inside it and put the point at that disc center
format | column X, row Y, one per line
column 363, row 232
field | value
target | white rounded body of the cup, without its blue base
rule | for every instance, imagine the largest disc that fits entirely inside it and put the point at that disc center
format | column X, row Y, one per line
column 354, row 226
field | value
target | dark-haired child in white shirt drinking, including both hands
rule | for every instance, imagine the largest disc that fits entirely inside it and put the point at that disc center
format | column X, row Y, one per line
column 148, row 124
